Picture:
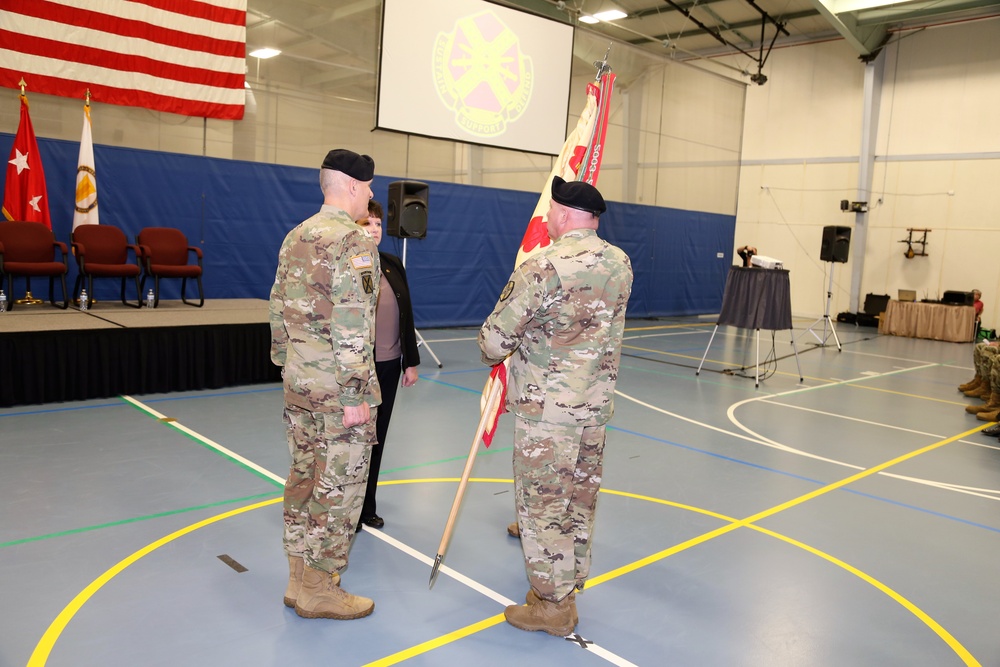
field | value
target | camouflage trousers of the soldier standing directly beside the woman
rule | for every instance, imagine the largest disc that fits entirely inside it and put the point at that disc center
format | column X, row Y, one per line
column 325, row 488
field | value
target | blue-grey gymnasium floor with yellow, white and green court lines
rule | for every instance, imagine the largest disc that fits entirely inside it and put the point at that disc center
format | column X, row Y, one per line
column 848, row 520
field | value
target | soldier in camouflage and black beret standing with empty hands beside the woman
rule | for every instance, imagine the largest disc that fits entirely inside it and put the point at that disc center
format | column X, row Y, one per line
column 322, row 314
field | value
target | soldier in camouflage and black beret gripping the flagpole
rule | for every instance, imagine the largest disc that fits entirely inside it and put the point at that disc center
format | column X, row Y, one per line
column 562, row 317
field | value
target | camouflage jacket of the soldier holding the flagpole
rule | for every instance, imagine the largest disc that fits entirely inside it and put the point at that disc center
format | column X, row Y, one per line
column 562, row 315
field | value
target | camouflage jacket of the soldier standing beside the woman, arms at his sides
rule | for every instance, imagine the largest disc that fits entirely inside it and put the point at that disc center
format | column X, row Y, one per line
column 322, row 313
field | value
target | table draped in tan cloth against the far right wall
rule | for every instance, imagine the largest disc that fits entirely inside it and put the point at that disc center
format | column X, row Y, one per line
column 936, row 321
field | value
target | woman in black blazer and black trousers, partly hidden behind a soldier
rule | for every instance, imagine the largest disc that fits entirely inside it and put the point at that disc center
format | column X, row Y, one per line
column 395, row 352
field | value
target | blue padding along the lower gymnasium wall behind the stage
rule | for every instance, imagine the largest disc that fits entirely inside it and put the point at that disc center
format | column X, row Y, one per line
column 239, row 212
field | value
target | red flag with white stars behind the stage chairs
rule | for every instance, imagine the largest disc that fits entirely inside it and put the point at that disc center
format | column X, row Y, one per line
column 24, row 195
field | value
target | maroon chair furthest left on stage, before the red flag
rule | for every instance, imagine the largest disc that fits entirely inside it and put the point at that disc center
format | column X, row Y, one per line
column 28, row 249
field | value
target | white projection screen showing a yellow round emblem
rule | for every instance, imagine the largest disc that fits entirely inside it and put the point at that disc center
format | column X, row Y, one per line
column 475, row 72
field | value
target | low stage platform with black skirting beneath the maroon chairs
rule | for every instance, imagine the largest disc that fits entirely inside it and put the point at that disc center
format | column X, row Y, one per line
column 49, row 355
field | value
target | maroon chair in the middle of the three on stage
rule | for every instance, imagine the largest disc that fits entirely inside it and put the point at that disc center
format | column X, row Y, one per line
column 102, row 252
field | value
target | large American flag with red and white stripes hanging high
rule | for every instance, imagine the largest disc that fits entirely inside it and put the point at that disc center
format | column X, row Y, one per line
column 181, row 56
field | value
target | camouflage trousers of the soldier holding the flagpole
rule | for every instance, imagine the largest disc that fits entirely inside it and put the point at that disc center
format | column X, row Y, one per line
column 557, row 477
